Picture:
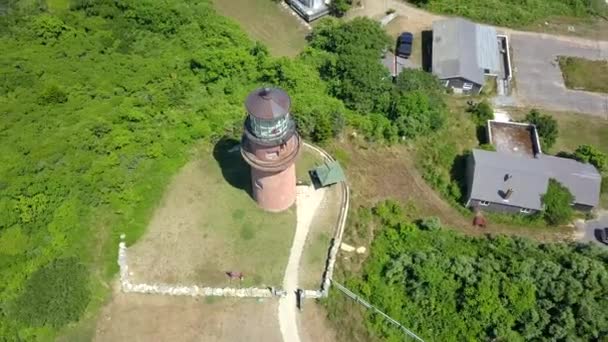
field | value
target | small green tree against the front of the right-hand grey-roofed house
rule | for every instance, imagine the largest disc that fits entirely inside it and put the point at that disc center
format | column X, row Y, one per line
column 558, row 203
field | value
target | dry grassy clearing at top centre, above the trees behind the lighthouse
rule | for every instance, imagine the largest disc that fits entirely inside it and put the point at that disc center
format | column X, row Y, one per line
column 268, row 22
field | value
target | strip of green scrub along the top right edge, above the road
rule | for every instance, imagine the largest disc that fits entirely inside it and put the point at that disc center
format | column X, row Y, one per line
column 515, row 13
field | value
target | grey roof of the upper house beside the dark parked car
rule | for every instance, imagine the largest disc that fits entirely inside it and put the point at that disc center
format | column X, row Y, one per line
column 464, row 49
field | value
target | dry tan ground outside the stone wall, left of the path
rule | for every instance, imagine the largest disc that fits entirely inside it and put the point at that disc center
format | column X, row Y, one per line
column 132, row 317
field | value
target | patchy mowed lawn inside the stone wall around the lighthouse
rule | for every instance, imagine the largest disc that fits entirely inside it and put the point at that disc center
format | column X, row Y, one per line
column 208, row 224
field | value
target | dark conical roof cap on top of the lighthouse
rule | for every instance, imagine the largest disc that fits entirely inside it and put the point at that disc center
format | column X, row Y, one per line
column 268, row 103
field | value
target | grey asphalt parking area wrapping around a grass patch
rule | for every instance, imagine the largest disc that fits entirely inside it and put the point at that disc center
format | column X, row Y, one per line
column 538, row 78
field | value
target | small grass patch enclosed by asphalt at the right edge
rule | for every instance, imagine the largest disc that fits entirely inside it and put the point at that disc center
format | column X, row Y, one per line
column 583, row 74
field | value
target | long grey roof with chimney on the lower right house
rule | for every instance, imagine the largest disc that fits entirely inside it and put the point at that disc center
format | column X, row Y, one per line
column 529, row 178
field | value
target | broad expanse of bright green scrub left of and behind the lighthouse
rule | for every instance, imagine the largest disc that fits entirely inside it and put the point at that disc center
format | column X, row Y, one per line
column 100, row 105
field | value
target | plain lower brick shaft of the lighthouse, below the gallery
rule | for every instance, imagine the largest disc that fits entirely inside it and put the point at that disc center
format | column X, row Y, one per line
column 274, row 191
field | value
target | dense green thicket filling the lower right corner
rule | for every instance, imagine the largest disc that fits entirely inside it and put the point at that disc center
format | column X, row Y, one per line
column 450, row 287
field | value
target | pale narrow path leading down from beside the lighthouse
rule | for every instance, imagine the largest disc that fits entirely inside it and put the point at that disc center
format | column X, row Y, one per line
column 307, row 202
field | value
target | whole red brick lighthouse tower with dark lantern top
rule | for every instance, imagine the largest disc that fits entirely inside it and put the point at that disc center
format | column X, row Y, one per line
column 270, row 145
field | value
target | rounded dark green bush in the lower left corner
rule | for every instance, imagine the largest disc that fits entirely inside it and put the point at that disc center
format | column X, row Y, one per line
column 54, row 295
